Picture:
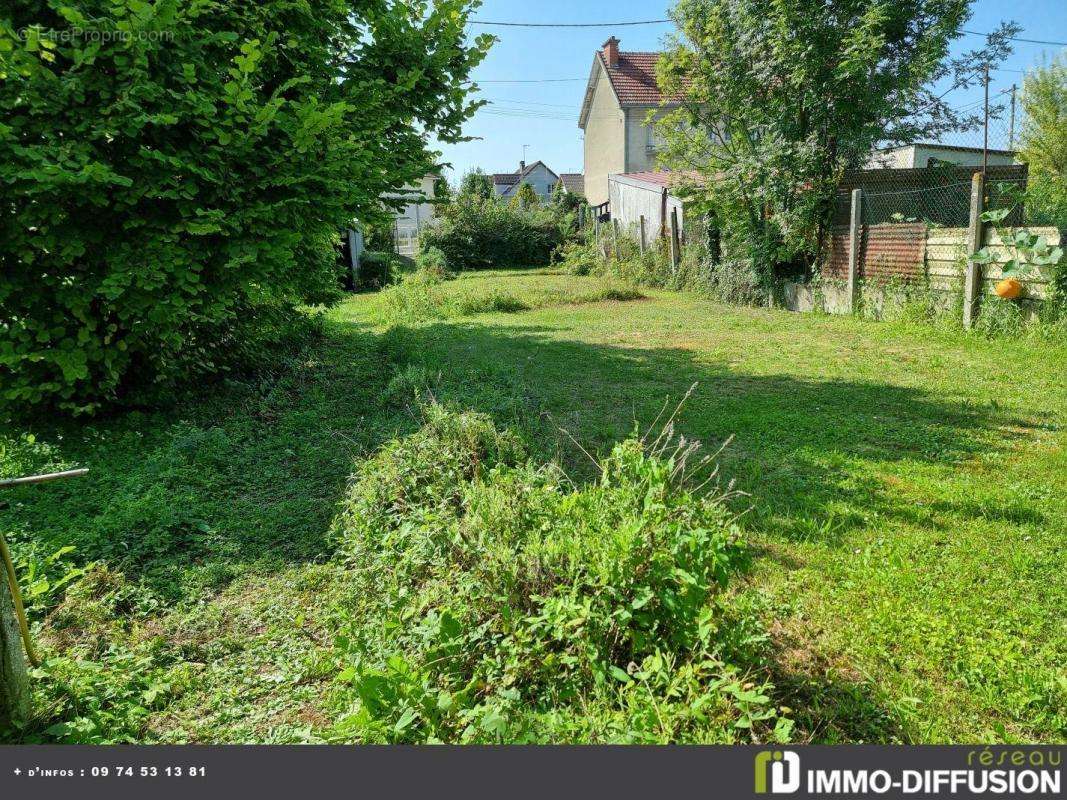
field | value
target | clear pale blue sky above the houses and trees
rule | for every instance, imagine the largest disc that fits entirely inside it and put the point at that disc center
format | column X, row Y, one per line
column 545, row 116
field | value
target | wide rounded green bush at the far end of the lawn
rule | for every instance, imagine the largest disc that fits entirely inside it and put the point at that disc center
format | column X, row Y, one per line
column 477, row 235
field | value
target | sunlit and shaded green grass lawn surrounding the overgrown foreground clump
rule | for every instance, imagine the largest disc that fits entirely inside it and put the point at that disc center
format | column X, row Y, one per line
column 909, row 492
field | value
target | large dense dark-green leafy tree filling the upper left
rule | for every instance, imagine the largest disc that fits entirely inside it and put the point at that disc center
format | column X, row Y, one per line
column 177, row 171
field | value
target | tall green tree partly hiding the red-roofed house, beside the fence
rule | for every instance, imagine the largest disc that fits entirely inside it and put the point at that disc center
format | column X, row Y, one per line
column 781, row 97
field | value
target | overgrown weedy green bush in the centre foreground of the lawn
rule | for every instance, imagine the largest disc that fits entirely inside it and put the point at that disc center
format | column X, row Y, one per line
column 498, row 601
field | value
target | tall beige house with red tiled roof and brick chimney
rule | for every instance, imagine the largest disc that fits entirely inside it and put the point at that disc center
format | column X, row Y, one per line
column 623, row 89
